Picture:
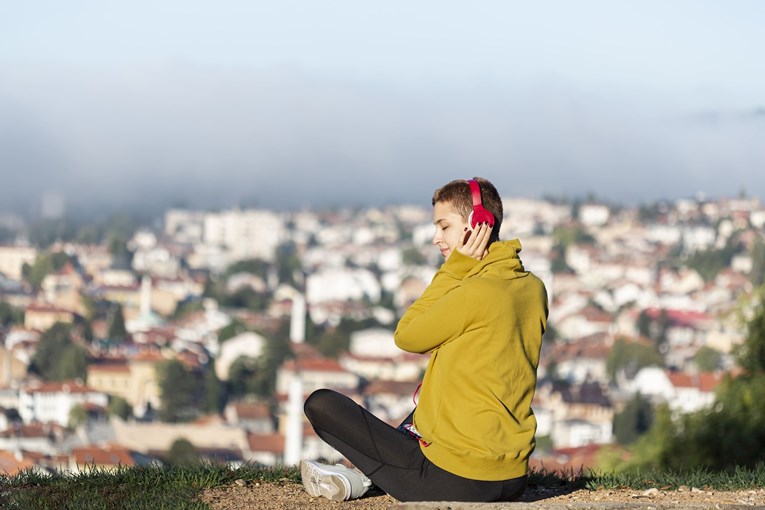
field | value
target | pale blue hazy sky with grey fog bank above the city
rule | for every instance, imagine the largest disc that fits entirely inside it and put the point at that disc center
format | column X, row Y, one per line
column 314, row 103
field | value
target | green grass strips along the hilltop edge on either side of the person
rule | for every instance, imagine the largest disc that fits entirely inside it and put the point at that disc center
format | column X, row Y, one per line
column 159, row 488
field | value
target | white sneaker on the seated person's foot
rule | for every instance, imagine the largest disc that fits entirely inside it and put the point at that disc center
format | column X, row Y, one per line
column 337, row 482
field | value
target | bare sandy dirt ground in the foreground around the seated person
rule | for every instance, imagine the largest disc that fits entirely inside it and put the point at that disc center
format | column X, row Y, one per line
column 288, row 496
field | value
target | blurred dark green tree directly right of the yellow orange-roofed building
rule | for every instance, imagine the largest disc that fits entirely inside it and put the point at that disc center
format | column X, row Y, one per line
column 178, row 391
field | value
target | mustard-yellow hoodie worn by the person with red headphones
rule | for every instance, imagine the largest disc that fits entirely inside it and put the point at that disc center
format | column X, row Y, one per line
column 482, row 322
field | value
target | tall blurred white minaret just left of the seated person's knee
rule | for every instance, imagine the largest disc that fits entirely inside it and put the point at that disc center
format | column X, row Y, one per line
column 293, row 441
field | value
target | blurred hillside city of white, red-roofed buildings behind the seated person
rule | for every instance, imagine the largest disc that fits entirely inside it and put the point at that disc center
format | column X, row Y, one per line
column 124, row 343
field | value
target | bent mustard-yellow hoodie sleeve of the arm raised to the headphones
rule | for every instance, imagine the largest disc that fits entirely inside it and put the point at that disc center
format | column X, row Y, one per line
column 436, row 316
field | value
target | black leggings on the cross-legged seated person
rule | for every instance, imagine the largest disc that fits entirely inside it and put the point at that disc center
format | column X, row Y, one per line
column 392, row 459
